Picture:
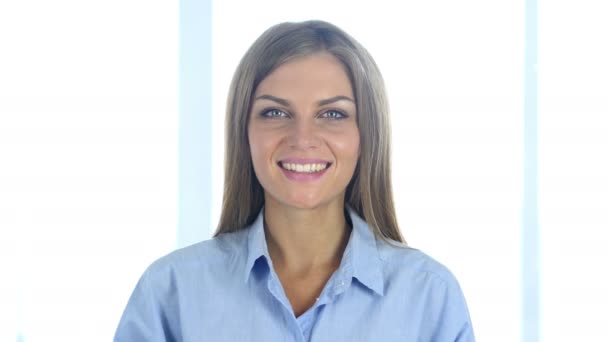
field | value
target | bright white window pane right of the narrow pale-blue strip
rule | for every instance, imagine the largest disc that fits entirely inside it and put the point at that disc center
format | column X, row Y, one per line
column 573, row 169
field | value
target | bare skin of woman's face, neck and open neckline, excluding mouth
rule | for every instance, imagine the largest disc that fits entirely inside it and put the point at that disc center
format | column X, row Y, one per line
column 305, row 110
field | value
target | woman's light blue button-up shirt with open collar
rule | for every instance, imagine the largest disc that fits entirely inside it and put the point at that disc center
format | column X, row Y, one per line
column 225, row 289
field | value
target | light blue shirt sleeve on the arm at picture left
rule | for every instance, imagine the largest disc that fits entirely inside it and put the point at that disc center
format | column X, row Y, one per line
column 144, row 318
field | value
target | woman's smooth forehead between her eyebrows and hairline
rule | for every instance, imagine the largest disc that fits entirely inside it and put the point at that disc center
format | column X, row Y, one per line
column 320, row 75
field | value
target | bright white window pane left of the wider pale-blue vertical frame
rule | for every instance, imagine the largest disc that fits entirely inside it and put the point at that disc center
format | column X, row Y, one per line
column 88, row 142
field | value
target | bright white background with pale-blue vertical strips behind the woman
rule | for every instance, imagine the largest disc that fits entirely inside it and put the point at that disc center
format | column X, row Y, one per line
column 111, row 138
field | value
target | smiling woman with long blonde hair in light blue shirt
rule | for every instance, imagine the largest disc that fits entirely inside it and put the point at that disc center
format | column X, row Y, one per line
column 308, row 247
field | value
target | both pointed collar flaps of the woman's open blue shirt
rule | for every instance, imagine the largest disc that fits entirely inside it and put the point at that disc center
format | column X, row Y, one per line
column 361, row 259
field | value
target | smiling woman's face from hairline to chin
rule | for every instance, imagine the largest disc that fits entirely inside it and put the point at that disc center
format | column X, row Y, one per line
column 303, row 132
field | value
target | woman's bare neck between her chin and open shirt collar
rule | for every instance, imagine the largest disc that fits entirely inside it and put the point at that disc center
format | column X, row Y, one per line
column 303, row 240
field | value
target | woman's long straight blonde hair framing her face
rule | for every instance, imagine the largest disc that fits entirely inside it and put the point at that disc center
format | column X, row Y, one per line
column 369, row 192
